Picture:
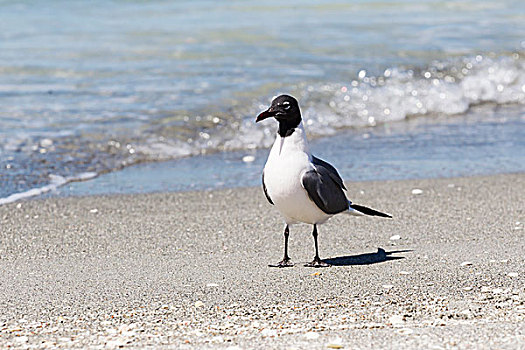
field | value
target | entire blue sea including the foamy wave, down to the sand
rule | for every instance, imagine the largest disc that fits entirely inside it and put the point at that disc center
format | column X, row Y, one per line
column 91, row 88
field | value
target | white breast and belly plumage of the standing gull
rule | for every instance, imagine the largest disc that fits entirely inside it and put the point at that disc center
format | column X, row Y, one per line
column 289, row 159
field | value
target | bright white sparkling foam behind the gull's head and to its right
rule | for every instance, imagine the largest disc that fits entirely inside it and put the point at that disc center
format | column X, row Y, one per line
column 442, row 89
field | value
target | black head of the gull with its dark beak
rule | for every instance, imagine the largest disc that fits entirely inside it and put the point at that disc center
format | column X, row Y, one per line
column 285, row 109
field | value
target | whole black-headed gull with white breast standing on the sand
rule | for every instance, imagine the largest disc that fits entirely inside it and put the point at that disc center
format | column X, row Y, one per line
column 302, row 187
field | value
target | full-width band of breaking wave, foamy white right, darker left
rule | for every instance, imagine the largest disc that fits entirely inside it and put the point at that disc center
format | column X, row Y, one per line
column 441, row 88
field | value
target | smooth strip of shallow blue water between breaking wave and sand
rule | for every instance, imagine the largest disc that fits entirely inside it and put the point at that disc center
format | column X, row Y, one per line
column 483, row 142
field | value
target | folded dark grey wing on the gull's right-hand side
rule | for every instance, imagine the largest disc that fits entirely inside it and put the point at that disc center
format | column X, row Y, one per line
column 325, row 189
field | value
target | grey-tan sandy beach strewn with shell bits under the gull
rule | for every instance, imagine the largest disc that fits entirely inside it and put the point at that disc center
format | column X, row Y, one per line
column 190, row 270
